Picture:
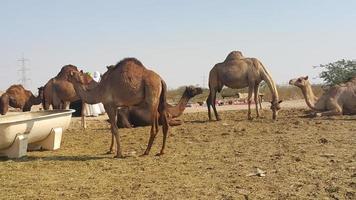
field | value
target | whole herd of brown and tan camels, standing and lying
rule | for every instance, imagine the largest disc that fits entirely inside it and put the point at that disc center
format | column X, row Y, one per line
column 133, row 95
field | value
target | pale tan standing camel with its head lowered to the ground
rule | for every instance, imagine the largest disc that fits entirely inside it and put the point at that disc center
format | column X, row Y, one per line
column 237, row 72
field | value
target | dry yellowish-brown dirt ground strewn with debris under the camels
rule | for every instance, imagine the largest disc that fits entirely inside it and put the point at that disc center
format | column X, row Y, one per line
column 302, row 158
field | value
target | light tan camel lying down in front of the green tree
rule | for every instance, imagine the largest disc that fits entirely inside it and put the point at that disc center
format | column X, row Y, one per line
column 337, row 100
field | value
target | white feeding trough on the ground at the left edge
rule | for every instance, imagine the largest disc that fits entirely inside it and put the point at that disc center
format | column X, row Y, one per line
column 40, row 129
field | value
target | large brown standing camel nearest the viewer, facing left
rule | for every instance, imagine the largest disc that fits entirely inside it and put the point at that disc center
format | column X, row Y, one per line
column 129, row 83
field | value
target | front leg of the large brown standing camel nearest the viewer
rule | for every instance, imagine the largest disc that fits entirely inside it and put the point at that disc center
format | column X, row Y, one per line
column 112, row 113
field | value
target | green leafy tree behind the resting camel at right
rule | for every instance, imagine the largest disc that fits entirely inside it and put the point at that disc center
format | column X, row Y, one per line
column 338, row 72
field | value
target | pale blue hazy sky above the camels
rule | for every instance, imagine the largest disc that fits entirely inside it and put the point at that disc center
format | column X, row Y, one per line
column 181, row 40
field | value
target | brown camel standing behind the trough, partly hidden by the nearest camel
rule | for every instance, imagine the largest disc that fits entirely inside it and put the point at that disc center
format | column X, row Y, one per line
column 59, row 92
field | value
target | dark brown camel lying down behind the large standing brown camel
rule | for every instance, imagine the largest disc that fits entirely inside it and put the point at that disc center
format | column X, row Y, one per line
column 140, row 116
